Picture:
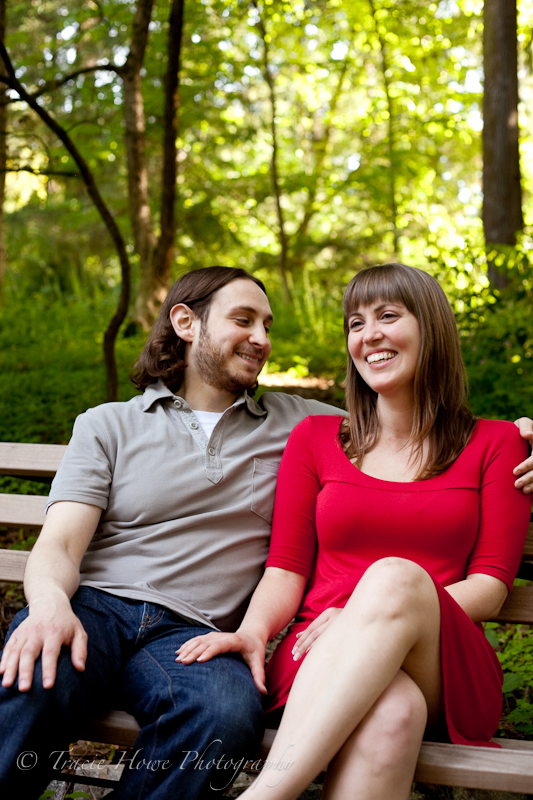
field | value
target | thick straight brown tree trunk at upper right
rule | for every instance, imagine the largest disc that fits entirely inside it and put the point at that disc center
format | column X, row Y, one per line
column 502, row 198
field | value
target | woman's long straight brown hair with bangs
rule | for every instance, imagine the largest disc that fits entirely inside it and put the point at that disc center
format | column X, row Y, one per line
column 441, row 414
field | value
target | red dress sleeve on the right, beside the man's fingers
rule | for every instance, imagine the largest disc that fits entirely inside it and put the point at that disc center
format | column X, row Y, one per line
column 504, row 510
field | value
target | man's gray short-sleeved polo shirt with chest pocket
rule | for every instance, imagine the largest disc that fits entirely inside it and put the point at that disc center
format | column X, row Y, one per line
column 185, row 520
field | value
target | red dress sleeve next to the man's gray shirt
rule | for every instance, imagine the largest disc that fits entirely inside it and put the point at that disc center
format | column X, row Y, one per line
column 293, row 544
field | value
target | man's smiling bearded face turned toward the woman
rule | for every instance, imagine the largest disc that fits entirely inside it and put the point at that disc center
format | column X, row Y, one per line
column 233, row 343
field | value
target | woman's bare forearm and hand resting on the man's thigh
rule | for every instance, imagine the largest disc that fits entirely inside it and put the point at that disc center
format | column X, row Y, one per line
column 273, row 605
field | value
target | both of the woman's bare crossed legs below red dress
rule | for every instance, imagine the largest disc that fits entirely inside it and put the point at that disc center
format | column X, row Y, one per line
column 363, row 695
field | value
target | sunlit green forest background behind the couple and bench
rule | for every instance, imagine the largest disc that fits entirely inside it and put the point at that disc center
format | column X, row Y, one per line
column 300, row 140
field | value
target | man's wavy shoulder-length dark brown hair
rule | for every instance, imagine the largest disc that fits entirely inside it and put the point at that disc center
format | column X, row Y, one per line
column 162, row 357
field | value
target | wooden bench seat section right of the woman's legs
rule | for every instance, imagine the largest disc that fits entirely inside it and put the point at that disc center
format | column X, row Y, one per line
column 504, row 770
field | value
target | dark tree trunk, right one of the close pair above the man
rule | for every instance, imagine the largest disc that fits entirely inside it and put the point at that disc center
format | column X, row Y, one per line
column 155, row 277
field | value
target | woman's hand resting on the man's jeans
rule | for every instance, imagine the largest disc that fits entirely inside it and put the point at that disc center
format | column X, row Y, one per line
column 204, row 648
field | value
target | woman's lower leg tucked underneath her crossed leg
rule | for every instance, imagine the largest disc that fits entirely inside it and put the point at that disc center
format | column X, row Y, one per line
column 378, row 760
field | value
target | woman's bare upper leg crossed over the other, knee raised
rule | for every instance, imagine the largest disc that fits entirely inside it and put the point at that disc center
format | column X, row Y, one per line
column 391, row 621
